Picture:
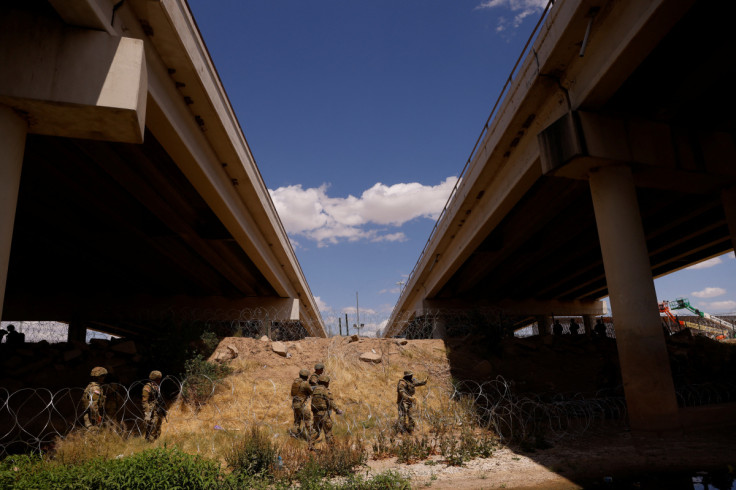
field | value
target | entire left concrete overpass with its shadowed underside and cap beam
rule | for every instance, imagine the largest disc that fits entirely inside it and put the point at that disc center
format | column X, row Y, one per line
column 126, row 183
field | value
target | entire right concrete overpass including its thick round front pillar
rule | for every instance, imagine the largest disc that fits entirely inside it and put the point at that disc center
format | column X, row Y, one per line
column 610, row 161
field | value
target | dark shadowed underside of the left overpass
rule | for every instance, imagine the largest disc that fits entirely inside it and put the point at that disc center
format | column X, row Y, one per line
column 106, row 230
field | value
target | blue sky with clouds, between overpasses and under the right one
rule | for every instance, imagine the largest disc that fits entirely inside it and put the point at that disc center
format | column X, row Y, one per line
column 360, row 116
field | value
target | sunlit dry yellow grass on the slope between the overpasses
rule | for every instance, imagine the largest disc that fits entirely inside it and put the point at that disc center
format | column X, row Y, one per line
column 253, row 395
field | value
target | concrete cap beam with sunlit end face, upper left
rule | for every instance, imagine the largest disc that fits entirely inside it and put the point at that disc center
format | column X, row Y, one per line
column 73, row 82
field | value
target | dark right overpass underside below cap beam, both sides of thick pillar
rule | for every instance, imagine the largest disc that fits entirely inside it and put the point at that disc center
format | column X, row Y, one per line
column 539, row 254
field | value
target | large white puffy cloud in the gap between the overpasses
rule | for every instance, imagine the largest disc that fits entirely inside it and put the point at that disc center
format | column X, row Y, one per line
column 314, row 214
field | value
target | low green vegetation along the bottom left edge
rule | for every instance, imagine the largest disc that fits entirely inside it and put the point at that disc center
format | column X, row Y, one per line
column 172, row 468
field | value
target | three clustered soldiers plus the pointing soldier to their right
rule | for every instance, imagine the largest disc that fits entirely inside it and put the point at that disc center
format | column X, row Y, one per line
column 316, row 387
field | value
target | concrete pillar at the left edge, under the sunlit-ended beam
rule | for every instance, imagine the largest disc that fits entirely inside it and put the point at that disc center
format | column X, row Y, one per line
column 13, row 131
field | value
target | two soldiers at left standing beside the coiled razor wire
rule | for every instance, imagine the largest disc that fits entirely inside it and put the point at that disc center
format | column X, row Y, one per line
column 97, row 395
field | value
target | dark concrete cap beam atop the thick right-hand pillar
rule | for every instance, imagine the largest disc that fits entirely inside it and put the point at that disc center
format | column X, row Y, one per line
column 665, row 156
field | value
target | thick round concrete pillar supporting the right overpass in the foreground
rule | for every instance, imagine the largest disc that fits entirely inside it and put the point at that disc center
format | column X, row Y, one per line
column 645, row 367
